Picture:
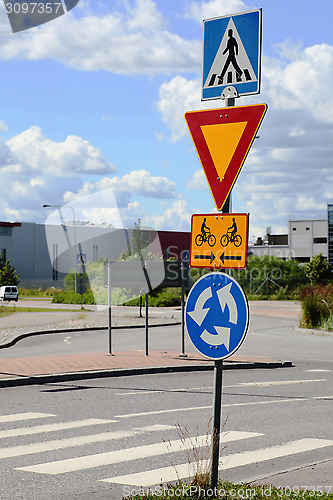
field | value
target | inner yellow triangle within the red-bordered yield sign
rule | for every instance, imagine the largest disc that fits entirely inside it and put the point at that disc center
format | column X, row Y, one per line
column 222, row 144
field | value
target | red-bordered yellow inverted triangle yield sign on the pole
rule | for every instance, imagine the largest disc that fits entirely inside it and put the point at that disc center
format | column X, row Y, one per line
column 223, row 138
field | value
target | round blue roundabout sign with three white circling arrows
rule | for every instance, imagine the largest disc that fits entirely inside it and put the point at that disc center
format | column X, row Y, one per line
column 216, row 315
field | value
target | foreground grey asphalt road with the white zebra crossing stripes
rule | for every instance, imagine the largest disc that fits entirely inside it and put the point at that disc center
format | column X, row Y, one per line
column 274, row 420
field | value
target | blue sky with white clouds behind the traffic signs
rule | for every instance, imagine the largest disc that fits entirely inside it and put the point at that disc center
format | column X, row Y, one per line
column 96, row 99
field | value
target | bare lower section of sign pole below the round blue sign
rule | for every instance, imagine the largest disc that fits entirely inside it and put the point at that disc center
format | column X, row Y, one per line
column 218, row 371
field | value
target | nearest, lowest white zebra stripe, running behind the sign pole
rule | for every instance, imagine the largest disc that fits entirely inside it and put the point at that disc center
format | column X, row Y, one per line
column 182, row 471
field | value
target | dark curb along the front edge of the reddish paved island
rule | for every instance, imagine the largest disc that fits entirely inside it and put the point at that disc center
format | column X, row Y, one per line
column 122, row 372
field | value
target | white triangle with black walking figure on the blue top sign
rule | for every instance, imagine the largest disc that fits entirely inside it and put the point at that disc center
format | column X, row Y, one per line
column 231, row 64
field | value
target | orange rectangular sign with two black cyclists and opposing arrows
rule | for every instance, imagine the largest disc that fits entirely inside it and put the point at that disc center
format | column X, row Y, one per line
column 219, row 241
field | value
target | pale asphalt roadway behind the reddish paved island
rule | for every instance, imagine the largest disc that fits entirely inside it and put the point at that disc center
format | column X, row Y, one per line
column 272, row 333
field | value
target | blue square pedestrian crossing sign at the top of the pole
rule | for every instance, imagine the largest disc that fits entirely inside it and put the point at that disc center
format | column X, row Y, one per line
column 232, row 54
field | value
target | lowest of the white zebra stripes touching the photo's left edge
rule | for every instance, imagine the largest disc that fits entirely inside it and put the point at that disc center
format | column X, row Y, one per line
column 16, row 451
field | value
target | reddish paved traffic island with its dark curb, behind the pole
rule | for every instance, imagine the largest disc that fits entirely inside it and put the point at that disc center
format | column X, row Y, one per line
column 46, row 369
